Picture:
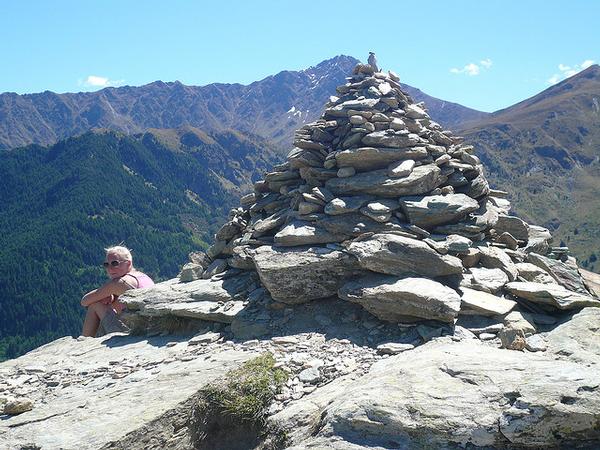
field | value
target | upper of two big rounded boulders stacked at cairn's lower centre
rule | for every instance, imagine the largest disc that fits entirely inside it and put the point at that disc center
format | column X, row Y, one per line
column 399, row 255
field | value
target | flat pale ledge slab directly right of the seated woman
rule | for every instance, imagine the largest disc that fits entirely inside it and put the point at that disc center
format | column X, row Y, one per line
column 214, row 300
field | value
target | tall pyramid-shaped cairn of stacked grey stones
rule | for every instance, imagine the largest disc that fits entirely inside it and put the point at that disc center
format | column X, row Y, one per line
column 380, row 206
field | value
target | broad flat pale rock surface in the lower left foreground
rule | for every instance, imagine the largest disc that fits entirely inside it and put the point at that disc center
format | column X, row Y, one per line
column 106, row 388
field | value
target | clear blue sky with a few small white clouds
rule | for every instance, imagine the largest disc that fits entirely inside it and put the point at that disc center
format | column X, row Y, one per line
column 483, row 54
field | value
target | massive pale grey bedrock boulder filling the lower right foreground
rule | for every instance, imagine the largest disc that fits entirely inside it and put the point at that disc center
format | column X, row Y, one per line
column 452, row 395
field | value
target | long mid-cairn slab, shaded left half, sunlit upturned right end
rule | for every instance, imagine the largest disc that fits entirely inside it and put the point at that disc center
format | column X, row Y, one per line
column 421, row 180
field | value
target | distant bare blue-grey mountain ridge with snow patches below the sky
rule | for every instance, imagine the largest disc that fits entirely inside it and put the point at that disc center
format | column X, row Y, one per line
column 271, row 108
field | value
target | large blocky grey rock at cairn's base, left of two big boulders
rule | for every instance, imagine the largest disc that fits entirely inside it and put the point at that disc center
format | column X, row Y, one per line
column 300, row 274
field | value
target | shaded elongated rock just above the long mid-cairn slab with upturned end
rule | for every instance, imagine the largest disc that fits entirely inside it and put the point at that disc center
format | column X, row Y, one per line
column 371, row 158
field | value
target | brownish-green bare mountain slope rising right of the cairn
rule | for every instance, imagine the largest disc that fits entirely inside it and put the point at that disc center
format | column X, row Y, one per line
column 545, row 152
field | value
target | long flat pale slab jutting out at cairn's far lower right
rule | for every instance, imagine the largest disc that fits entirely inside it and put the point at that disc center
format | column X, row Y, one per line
column 551, row 294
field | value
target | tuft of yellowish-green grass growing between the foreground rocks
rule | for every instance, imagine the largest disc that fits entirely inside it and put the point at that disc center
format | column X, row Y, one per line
column 247, row 392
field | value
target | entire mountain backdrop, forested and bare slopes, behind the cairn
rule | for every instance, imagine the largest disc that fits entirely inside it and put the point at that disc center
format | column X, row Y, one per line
column 164, row 162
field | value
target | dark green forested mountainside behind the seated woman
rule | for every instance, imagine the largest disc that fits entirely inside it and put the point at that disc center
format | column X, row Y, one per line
column 62, row 205
